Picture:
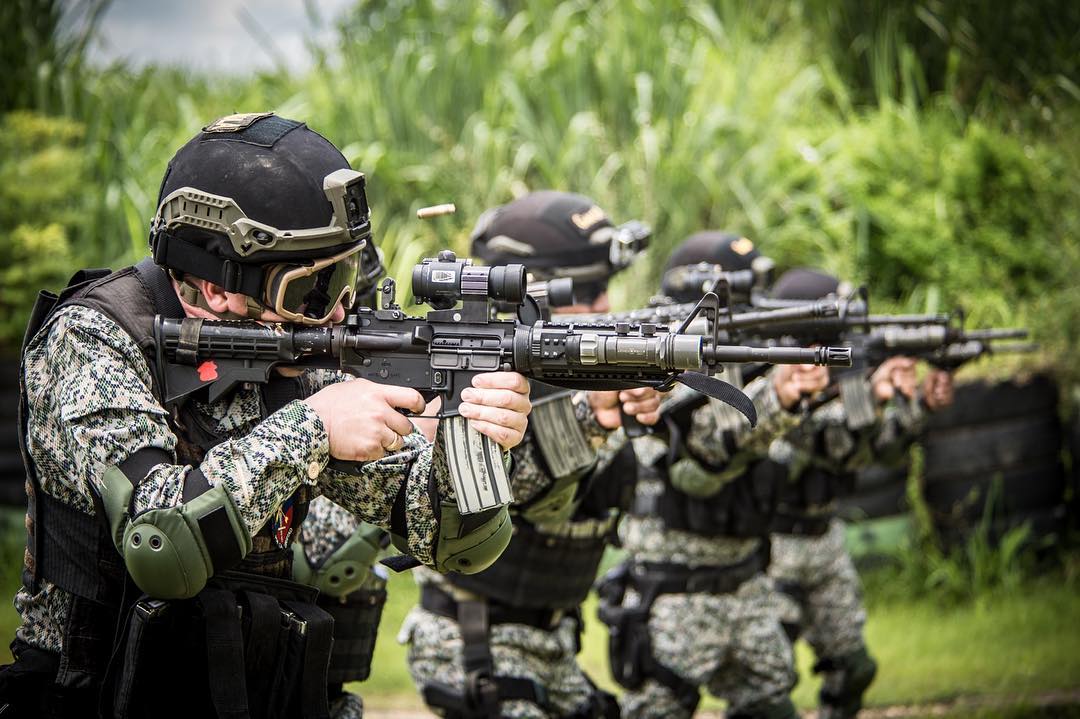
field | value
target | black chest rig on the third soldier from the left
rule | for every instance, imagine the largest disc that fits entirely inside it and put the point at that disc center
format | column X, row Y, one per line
column 741, row 508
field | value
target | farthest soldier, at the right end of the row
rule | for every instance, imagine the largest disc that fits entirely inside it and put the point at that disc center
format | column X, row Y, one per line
column 874, row 419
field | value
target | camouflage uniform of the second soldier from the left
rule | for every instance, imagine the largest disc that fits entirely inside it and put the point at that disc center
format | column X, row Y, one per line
column 548, row 658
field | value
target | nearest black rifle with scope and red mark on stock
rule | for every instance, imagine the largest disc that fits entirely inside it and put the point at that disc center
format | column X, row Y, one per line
column 440, row 354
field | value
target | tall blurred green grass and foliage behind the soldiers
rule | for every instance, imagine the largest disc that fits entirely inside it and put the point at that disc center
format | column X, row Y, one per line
column 827, row 132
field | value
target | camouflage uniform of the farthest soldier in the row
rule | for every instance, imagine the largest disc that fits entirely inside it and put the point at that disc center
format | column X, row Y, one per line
column 819, row 587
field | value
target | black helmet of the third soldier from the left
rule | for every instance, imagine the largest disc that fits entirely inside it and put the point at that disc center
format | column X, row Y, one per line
column 697, row 262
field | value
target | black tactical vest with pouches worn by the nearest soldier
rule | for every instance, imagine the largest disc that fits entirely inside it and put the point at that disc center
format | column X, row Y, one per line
column 246, row 622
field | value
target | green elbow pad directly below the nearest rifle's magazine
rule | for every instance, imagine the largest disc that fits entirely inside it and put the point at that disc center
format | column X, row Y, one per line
column 471, row 544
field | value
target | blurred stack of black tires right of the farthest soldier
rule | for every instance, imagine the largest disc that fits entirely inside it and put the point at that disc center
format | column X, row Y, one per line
column 1001, row 443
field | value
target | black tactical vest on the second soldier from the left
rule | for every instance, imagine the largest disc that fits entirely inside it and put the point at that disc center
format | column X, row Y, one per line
column 555, row 567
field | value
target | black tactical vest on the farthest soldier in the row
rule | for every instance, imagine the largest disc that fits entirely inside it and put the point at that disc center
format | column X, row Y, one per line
column 806, row 505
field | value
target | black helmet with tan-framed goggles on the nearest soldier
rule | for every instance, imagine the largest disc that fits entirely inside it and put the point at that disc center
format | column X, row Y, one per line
column 267, row 208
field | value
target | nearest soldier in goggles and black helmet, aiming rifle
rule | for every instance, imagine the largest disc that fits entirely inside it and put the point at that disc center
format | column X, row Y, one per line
column 159, row 533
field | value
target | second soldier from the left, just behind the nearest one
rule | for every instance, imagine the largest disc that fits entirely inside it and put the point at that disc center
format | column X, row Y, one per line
column 504, row 643
